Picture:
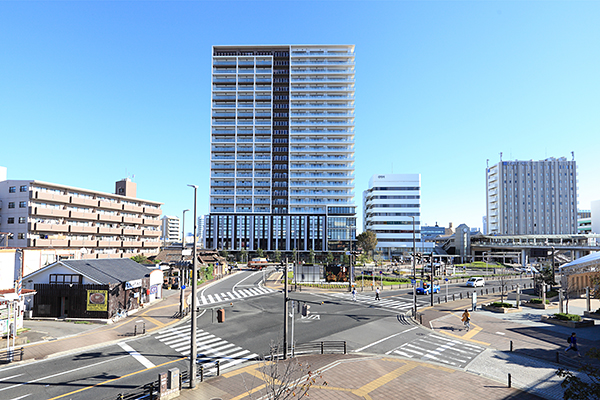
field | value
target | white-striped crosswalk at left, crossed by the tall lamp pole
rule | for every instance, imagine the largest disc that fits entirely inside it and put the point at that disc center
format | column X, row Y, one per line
column 210, row 348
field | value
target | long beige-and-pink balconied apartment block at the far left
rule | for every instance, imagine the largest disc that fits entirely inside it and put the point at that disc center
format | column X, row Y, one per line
column 79, row 223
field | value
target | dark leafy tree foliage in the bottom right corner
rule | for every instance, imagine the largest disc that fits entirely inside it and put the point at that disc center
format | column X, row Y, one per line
column 578, row 389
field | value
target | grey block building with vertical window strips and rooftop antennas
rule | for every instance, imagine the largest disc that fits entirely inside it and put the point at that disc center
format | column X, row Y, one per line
column 532, row 197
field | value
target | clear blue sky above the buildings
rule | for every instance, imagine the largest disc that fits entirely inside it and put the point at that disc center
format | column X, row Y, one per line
column 92, row 92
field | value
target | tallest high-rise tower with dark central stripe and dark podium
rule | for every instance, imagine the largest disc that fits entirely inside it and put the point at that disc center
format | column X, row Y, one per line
column 282, row 148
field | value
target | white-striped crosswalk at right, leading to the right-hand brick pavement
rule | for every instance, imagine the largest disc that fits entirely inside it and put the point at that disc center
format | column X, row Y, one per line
column 440, row 349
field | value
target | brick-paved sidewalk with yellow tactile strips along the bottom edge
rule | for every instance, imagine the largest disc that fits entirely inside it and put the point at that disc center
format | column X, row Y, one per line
column 360, row 376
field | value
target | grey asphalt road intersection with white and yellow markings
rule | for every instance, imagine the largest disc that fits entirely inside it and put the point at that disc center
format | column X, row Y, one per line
column 253, row 323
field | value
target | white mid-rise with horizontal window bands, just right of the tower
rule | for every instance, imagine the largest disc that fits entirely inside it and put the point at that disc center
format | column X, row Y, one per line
column 392, row 209
